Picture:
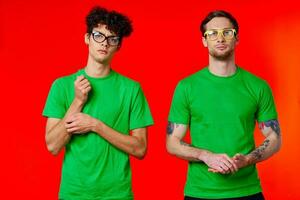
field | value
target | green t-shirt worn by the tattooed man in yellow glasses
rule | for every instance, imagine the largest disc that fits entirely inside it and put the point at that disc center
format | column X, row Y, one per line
column 221, row 113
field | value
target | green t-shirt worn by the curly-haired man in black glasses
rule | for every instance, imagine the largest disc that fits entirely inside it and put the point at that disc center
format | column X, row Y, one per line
column 92, row 167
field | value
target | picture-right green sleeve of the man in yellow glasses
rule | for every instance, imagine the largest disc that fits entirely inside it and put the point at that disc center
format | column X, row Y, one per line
column 266, row 106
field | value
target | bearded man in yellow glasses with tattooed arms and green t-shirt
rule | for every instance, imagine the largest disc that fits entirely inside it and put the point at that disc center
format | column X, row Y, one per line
column 221, row 104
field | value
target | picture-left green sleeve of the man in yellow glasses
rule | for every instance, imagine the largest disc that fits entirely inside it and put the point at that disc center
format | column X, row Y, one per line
column 180, row 112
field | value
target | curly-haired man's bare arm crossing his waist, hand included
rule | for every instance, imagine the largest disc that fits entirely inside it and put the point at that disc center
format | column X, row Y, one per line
column 134, row 144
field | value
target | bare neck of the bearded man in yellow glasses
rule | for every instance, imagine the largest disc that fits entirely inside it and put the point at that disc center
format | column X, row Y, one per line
column 222, row 67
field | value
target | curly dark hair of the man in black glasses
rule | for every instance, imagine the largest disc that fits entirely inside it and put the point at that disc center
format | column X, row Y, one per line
column 115, row 22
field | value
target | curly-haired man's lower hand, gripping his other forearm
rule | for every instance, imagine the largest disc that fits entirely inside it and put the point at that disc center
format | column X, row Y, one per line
column 80, row 123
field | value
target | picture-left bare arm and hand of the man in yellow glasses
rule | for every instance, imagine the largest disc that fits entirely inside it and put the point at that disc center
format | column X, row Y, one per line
column 175, row 146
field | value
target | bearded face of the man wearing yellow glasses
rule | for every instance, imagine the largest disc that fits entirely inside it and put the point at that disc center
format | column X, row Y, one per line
column 221, row 48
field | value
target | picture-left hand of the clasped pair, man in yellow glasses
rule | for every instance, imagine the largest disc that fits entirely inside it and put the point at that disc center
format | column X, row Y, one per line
column 220, row 163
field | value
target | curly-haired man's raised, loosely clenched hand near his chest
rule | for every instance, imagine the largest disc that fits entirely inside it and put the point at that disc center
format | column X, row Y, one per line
column 82, row 87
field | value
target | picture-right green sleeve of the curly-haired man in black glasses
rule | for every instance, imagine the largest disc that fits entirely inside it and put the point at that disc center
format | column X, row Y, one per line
column 140, row 115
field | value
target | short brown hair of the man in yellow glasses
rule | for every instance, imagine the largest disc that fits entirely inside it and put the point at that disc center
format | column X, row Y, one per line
column 218, row 13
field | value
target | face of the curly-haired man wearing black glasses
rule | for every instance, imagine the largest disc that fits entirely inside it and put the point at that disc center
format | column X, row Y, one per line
column 101, row 52
